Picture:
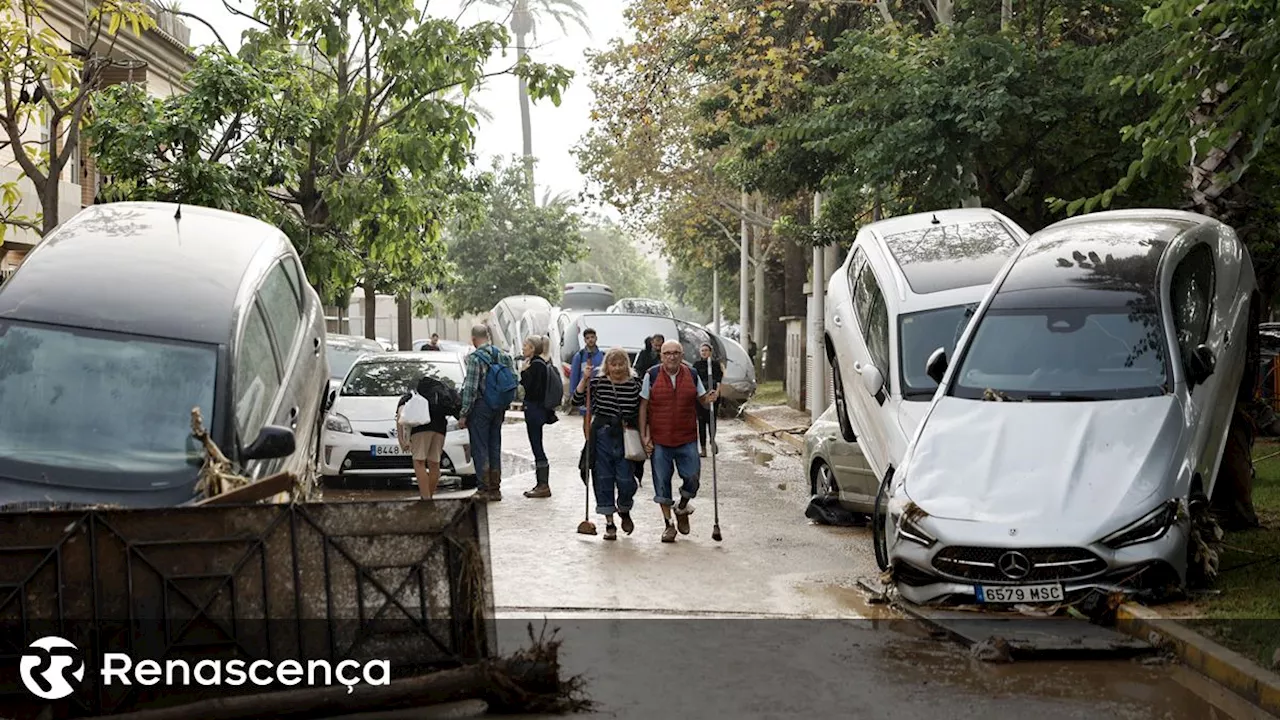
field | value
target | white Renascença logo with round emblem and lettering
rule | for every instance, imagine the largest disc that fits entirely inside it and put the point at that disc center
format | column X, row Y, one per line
column 51, row 660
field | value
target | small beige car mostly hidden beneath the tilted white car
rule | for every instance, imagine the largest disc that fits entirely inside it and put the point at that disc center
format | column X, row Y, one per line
column 836, row 467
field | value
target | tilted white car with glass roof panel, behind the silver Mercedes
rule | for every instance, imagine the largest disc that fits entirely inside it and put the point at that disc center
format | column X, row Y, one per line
column 908, row 286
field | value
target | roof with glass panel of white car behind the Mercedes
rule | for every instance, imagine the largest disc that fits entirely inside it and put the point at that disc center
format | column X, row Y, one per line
column 930, row 261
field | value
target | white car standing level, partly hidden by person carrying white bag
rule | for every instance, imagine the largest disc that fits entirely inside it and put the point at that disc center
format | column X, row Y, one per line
column 359, row 441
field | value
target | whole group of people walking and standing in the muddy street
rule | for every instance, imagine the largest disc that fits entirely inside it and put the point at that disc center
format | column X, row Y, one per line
column 665, row 405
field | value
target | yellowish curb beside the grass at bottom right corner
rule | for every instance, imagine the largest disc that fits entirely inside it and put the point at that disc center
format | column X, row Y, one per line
column 1223, row 666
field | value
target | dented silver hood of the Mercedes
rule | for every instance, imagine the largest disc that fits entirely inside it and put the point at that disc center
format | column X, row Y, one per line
column 1045, row 466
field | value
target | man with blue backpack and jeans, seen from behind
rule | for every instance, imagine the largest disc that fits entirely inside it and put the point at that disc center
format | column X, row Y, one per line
column 482, row 417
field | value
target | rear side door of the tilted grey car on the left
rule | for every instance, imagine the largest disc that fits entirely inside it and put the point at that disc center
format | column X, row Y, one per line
column 282, row 303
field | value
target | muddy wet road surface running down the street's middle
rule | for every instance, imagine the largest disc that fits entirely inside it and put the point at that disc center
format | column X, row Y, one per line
column 770, row 622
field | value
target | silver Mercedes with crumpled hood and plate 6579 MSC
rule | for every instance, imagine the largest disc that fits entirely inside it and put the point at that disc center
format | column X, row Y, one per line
column 1077, row 436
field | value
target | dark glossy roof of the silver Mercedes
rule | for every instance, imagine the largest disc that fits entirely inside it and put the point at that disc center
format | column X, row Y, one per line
column 1118, row 252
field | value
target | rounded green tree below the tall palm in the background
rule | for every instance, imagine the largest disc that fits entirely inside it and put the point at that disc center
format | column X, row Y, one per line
column 518, row 249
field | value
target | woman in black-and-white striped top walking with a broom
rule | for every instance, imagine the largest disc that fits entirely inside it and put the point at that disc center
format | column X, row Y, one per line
column 615, row 405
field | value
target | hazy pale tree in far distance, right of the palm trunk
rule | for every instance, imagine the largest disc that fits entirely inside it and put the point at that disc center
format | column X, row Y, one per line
column 614, row 259
